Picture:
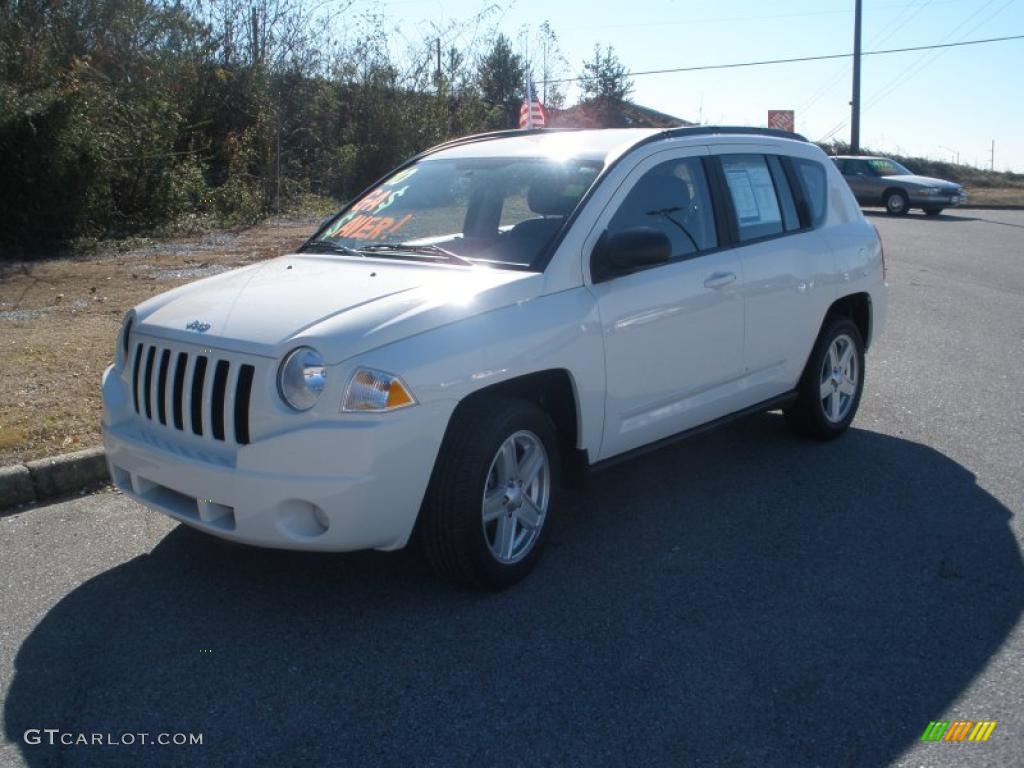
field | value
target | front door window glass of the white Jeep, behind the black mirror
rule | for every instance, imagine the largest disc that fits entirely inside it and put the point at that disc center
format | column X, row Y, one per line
column 674, row 199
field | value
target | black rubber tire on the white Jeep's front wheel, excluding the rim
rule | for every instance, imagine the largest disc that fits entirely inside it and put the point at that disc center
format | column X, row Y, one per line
column 452, row 533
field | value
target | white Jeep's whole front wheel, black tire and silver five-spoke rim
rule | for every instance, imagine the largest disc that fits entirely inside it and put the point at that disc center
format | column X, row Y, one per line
column 488, row 510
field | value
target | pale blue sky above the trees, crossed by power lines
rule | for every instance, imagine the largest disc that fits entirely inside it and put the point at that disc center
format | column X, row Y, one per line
column 944, row 105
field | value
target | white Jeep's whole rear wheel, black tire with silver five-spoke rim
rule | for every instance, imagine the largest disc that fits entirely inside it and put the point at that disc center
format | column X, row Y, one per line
column 830, row 390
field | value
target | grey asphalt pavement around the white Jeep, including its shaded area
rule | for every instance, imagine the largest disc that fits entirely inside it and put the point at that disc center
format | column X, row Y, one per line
column 744, row 600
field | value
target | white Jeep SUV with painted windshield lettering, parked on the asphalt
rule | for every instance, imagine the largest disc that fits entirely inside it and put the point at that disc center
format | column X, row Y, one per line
column 496, row 316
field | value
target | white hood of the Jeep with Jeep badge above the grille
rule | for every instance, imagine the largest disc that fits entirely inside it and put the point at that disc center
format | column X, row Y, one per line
column 343, row 306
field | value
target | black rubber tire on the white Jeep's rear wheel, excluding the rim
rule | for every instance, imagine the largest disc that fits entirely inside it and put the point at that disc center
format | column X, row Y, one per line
column 808, row 416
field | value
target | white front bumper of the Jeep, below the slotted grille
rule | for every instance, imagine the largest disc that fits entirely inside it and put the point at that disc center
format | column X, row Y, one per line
column 350, row 485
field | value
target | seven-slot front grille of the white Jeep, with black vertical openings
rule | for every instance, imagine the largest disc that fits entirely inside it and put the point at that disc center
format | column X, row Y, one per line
column 204, row 395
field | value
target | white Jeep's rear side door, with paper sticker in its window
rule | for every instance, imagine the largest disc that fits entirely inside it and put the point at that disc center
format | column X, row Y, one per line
column 777, row 205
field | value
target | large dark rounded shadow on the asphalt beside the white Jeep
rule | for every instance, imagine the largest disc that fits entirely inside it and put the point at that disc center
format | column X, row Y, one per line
column 746, row 599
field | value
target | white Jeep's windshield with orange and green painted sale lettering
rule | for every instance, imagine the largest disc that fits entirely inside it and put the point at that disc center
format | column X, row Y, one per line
column 502, row 211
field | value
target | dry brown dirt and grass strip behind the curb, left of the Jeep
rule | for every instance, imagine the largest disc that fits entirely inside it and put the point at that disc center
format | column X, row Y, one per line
column 60, row 320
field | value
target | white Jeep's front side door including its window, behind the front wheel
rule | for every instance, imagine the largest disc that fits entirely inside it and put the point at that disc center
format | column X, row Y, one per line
column 673, row 332
